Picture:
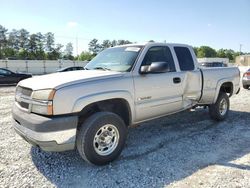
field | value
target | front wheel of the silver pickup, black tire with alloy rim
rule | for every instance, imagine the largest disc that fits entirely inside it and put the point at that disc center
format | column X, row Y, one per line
column 91, row 138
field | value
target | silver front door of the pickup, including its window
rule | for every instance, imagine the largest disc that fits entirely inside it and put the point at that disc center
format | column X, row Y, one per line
column 157, row 94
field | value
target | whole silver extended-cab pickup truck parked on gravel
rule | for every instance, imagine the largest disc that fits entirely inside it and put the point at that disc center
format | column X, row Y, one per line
column 91, row 109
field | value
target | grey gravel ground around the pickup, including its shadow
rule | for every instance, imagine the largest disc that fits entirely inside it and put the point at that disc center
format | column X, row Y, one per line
column 183, row 150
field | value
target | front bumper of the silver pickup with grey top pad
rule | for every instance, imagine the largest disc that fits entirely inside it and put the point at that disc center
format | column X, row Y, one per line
column 50, row 134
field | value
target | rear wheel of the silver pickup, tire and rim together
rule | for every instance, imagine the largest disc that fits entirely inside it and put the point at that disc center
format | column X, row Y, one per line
column 219, row 110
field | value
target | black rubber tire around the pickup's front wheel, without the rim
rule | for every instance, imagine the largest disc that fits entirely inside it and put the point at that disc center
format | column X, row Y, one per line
column 87, row 131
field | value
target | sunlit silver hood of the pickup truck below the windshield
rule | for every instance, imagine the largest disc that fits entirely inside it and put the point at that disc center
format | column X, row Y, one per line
column 62, row 79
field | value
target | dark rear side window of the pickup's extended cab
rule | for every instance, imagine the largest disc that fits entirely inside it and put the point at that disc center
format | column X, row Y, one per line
column 184, row 58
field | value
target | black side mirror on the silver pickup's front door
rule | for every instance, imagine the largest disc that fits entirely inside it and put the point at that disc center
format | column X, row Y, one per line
column 155, row 67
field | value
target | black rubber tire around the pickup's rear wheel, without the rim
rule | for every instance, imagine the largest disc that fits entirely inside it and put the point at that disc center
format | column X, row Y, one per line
column 214, row 111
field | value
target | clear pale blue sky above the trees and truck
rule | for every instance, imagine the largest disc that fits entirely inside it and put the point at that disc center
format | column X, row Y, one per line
column 215, row 23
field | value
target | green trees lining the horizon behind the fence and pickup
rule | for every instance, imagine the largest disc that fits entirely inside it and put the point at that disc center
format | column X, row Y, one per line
column 23, row 45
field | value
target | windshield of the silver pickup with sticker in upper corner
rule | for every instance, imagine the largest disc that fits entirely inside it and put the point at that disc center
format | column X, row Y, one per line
column 119, row 59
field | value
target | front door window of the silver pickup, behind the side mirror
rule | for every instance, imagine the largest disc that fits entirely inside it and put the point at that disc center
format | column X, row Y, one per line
column 159, row 54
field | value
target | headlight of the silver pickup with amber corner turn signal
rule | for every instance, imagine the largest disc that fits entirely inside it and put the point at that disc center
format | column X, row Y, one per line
column 42, row 101
